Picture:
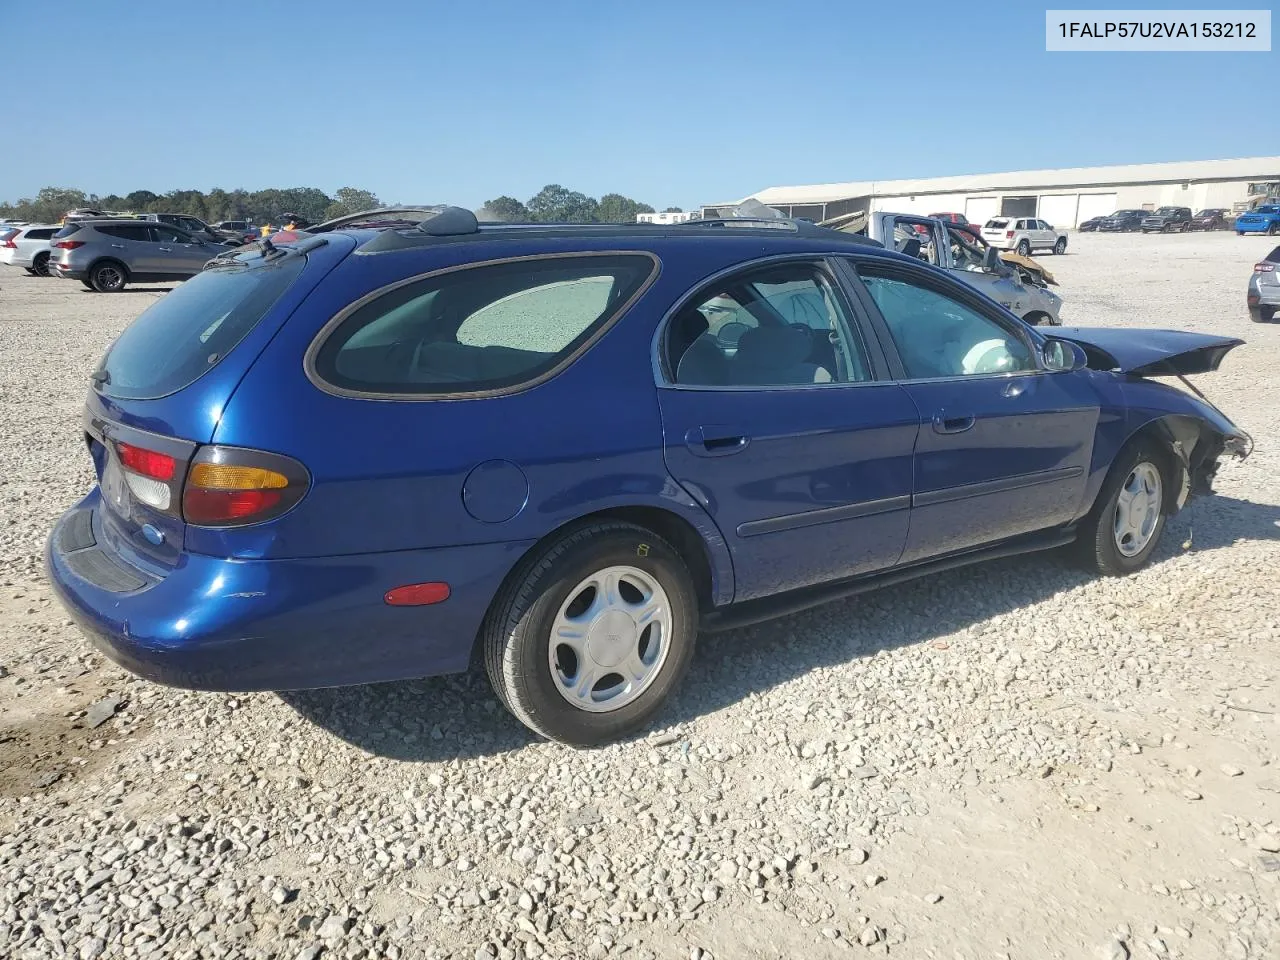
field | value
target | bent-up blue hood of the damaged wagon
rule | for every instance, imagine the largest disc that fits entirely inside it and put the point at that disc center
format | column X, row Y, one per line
column 1150, row 353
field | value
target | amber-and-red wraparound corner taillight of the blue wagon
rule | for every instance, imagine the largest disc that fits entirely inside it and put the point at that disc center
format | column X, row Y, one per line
column 231, row 486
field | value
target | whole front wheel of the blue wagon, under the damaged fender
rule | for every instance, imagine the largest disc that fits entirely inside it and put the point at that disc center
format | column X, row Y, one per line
column 1124, row 529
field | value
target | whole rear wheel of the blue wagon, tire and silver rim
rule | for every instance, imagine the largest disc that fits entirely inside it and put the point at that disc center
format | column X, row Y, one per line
column 589, row 638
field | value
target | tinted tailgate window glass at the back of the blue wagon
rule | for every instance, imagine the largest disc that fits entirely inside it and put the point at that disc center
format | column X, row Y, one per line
column 188, row 332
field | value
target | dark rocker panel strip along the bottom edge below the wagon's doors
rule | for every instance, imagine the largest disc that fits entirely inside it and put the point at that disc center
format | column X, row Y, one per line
column 794, row 601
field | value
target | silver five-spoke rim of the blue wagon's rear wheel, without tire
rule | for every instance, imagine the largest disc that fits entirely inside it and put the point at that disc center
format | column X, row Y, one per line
column 610, row 639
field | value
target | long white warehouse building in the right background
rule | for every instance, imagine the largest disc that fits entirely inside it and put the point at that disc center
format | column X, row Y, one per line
column 1063, row 198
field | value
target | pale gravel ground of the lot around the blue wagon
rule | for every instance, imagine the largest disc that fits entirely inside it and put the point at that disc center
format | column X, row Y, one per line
column 1014, row 761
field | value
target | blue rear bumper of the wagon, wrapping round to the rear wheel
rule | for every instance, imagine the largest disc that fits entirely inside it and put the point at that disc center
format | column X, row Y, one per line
column 216, row 624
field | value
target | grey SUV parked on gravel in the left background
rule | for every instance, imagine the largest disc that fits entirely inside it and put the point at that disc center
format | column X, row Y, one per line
column 106, row 255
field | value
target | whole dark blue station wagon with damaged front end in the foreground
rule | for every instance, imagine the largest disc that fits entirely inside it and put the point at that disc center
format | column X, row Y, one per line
column 364, row 455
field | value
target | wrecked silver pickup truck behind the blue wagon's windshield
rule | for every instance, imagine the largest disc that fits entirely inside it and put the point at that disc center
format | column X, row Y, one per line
column 958, row 252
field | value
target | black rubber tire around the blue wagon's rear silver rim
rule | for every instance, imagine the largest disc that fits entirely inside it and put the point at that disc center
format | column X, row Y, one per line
column 516, row 634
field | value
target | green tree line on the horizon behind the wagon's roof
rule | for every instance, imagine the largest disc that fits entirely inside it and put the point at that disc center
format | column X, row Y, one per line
column 552, row 204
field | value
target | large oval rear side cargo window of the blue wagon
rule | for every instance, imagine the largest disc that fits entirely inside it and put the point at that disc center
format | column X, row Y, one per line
column 484, row 328
